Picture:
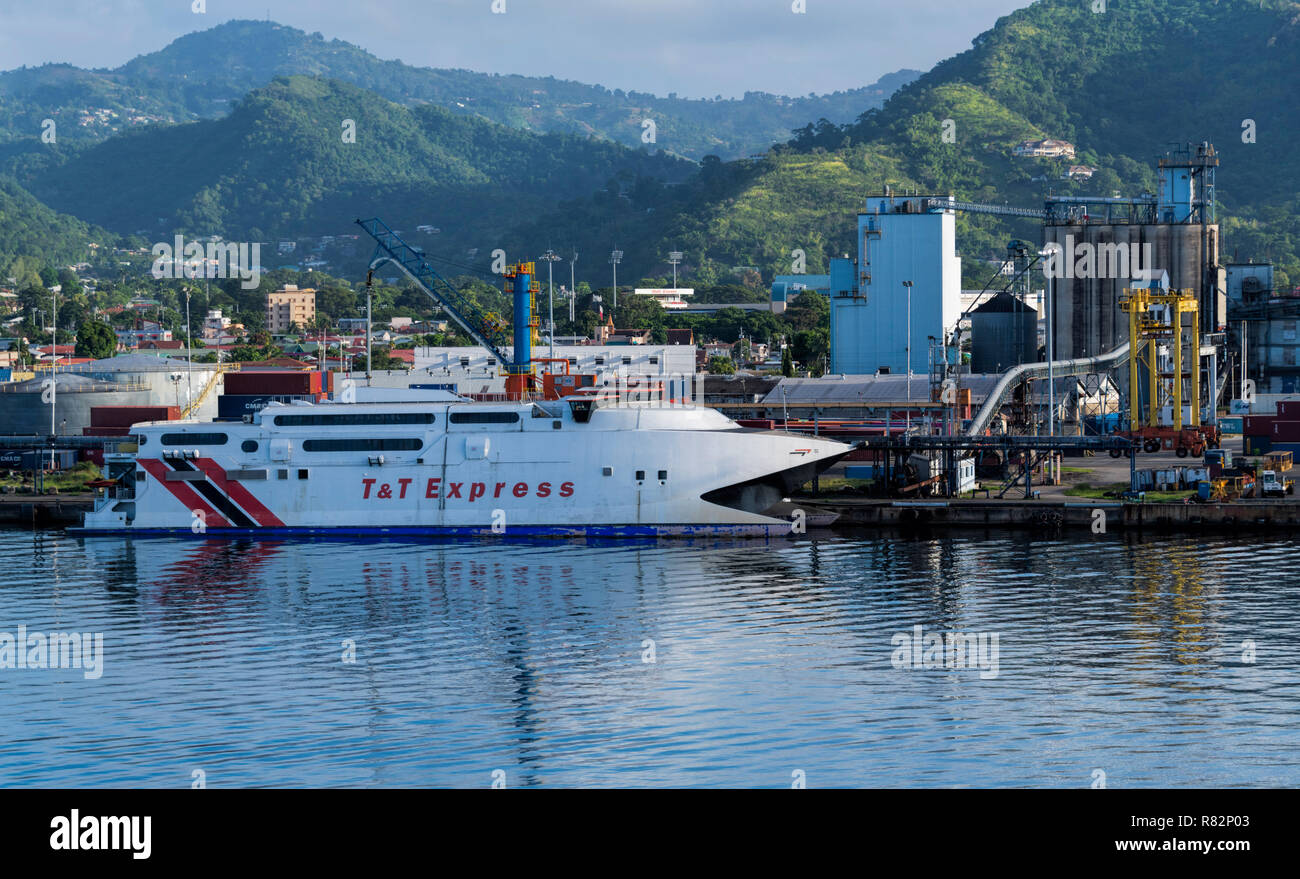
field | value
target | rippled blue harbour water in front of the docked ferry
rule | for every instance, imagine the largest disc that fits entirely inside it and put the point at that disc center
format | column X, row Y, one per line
column 1160, row 663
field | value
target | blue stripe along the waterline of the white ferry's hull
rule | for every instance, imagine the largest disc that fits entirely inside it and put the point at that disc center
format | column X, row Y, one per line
column 482, row 531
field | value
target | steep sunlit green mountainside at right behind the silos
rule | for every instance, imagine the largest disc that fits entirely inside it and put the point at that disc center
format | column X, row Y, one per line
column 1123, row 86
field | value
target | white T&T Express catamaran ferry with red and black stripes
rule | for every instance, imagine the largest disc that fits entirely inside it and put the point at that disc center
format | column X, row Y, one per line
column 577, row 466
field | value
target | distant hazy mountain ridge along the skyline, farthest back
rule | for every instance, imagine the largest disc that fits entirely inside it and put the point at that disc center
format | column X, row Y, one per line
column 206, row 73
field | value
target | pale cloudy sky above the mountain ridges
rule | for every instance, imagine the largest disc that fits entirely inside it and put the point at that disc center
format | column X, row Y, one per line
column 697, row 49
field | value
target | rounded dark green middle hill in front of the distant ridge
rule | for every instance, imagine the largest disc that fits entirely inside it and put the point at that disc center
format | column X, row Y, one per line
column 284, row 164
